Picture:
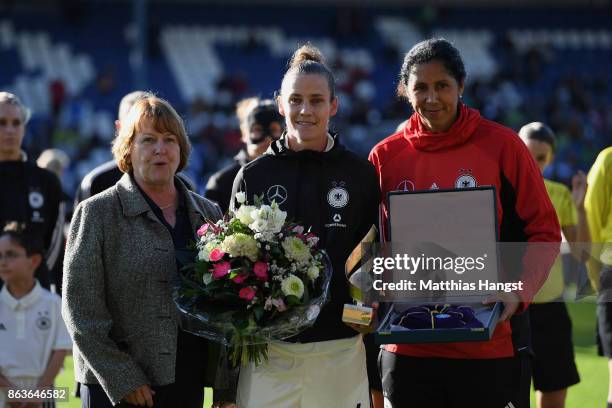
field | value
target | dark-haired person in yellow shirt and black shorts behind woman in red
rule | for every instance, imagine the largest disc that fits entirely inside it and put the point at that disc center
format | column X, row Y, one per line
column 554, row 368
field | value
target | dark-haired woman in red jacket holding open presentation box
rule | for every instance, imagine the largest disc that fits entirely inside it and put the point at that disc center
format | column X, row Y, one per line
column 447, row 145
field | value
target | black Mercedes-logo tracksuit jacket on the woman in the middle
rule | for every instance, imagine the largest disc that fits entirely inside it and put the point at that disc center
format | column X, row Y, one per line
column 335, row 193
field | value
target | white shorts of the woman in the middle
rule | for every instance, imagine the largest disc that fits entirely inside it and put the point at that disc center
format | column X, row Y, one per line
column 309, row 375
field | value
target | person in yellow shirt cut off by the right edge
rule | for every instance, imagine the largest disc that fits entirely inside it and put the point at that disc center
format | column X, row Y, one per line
column 599, row 215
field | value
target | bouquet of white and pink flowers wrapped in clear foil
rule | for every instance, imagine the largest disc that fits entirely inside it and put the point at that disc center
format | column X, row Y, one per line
column 255, row 278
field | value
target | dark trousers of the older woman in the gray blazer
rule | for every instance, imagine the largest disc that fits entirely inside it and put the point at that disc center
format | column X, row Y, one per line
column 187, row 390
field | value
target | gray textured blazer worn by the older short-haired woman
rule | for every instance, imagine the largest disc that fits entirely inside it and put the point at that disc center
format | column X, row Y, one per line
column 119, row 269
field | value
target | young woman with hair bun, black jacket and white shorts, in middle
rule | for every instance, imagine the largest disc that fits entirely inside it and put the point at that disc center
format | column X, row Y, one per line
column 323, row 186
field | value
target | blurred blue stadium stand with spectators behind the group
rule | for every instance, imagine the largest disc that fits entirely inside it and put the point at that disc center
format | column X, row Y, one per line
column 549, row 65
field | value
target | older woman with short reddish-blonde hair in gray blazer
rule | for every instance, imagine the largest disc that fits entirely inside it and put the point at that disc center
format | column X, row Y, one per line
column 120, row 267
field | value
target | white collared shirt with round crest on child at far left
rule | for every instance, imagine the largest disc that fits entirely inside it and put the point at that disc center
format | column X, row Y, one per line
column 30, row 328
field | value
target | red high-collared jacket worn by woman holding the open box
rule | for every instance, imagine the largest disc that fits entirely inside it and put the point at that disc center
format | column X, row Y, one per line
column 473, row 152
